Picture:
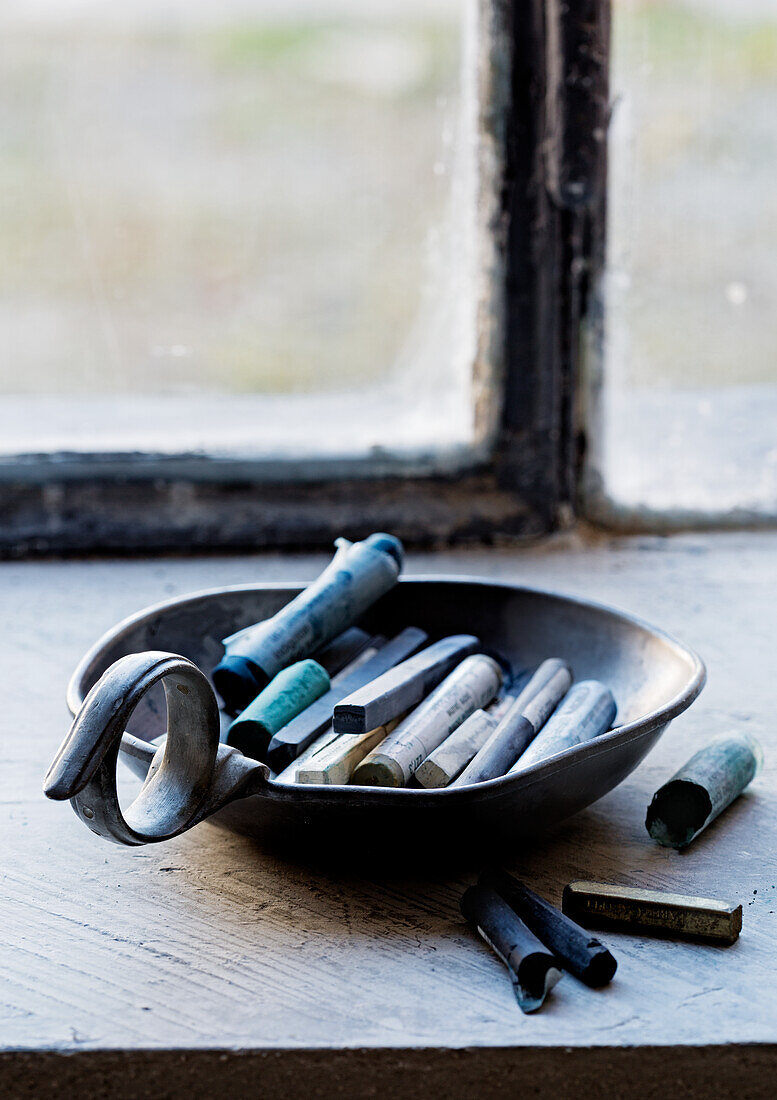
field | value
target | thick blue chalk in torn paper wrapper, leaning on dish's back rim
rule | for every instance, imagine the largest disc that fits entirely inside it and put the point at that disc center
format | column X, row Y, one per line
column 357, row 577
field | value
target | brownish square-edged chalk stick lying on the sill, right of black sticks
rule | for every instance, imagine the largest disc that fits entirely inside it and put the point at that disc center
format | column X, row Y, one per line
column 630, row 909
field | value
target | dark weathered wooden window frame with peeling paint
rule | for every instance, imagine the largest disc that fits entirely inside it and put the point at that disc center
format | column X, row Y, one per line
column 544, row 114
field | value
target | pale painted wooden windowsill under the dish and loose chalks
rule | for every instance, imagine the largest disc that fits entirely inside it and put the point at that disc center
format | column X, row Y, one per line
column 253, row 972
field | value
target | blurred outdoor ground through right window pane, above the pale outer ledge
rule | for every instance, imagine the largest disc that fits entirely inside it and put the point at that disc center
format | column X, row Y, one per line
column 693, row 195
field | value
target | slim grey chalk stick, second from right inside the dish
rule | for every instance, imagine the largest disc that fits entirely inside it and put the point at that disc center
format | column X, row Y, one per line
column 520, row 725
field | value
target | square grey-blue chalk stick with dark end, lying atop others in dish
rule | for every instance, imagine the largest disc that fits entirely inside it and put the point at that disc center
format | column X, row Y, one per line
column 403, row 687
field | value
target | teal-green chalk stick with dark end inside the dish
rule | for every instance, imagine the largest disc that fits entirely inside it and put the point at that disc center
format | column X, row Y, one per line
column 288, row 695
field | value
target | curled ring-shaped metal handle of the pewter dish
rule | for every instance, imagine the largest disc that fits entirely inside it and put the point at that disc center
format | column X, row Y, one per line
column 191, row 775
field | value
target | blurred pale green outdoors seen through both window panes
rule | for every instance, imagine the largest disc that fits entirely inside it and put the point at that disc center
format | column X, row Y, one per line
column 253, row 196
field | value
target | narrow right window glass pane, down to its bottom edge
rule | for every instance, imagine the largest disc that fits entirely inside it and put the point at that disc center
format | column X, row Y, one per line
column 691, row 398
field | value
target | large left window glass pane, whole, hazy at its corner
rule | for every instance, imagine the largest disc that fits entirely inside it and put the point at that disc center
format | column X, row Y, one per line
column 245, row 226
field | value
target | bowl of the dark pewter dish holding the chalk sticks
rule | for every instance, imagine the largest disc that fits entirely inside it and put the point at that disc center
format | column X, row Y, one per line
column 653, row 677
